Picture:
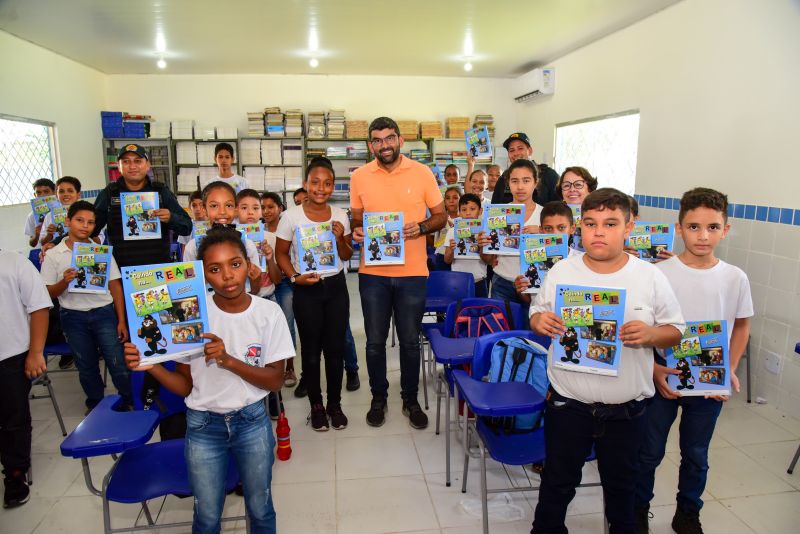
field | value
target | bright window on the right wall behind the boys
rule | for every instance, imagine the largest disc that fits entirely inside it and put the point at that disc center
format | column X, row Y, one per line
column 606, row 146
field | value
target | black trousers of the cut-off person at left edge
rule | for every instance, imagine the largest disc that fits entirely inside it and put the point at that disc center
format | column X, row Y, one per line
column 15, row 415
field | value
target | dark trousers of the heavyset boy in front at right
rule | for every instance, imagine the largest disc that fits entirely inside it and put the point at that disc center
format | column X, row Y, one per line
column 571, row 429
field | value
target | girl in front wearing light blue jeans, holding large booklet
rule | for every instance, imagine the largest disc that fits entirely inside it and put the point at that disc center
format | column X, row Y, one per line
column 225, row 390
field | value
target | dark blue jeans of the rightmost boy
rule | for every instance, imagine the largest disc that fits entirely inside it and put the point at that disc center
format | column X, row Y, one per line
column 698, row 419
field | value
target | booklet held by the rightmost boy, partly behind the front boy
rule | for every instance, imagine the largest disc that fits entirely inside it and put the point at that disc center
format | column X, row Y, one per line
column 703, row 359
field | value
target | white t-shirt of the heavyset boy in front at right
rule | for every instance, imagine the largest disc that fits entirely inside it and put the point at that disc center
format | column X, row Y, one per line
column 649, row 298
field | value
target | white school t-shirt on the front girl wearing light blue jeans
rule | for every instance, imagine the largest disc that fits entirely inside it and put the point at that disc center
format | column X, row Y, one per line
column 257, row 336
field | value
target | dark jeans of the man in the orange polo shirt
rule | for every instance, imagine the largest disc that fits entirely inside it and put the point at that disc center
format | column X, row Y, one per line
column 405, row 296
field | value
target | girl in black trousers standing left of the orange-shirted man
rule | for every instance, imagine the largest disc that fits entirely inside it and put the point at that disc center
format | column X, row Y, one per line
column 321, row 301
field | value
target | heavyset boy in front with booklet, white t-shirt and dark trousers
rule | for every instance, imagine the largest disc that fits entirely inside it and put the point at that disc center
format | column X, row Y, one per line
column 586, row 411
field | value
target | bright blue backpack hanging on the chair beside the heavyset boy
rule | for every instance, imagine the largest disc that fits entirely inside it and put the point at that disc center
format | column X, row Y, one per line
column 517, row 359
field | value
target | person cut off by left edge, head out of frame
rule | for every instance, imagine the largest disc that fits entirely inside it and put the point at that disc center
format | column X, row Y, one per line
column 25, row 305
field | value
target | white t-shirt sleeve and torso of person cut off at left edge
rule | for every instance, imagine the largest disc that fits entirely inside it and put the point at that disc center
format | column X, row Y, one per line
column 22, row 292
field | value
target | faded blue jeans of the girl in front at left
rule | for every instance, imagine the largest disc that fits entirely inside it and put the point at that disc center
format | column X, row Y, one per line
column 210, row 440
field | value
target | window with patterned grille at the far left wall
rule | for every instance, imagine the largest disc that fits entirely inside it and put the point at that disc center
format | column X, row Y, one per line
column 27, row 153
